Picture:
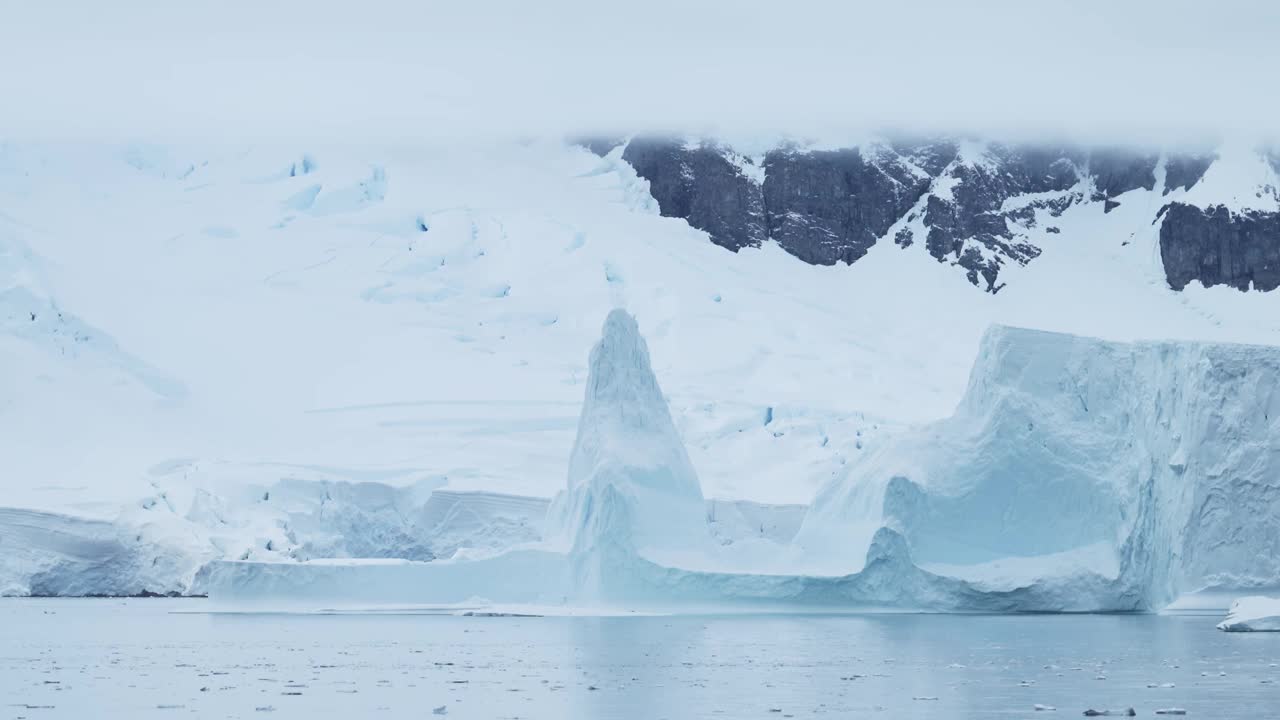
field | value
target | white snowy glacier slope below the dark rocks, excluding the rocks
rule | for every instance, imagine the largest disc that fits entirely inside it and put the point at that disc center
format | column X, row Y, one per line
column 417, row 317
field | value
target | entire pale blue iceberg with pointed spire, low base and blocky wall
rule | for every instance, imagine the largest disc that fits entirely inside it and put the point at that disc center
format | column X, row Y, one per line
column 1075, row 476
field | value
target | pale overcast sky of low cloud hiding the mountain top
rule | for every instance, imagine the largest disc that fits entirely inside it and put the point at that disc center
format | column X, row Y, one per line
column 403, row 70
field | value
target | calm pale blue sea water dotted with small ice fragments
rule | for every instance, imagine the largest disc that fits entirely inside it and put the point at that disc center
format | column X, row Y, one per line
column 171, row 659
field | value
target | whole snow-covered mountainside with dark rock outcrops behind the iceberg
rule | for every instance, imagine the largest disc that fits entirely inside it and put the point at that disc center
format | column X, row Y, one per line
column 269, row 352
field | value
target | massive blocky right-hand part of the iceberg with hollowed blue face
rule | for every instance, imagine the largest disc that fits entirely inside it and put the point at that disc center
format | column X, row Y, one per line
column 1151, row 464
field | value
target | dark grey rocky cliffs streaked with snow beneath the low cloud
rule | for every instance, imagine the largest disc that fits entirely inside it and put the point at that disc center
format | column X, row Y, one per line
column 977, row 206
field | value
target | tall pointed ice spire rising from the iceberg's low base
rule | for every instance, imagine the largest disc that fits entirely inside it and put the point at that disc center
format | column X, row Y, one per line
column 630, row 484
